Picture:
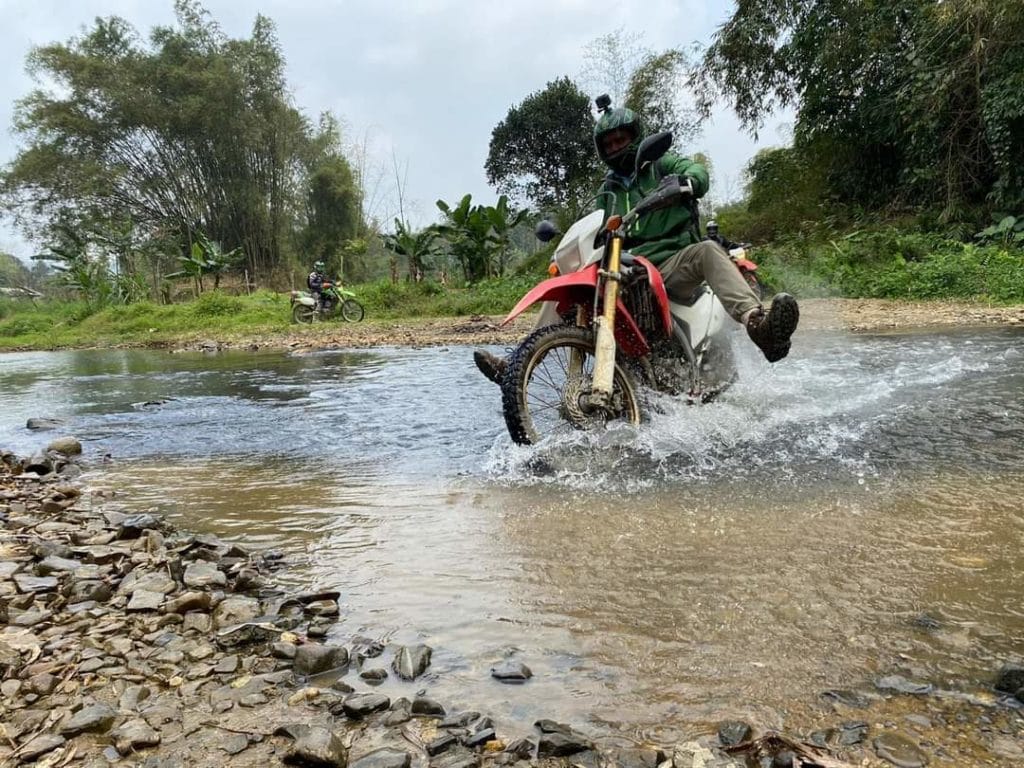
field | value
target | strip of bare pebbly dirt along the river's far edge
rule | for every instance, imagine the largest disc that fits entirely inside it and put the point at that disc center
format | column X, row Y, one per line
column 857, row 316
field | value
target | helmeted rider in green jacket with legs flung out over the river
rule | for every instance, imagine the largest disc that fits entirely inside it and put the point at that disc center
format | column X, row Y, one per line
column 670, row 239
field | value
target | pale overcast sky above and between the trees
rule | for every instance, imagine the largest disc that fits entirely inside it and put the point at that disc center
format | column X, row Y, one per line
column 426, row 80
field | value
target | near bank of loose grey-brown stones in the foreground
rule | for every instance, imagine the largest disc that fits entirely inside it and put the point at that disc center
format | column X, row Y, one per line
column 126, row 643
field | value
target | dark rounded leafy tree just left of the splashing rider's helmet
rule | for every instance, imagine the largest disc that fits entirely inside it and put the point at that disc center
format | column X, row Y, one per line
column 543, row 151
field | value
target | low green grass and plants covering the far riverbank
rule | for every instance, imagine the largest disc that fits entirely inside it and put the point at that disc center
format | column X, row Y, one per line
column 884, row 263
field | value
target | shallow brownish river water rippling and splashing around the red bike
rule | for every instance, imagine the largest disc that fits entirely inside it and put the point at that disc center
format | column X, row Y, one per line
column 849, row 515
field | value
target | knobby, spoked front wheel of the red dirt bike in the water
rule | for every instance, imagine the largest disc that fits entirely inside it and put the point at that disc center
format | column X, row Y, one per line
column 549, row 377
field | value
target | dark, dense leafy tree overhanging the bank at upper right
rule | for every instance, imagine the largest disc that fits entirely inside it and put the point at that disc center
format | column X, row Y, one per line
column 914, row 101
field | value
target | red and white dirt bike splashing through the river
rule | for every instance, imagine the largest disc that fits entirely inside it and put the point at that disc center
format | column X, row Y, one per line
column 614, row 329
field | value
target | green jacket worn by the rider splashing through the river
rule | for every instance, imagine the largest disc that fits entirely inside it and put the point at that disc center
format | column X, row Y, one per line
column 661, row 234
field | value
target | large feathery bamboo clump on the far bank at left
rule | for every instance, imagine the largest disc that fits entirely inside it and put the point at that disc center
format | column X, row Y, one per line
column 191, row 134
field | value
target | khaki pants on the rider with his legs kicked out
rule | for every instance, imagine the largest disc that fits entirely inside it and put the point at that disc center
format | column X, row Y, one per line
column 709, row 263
